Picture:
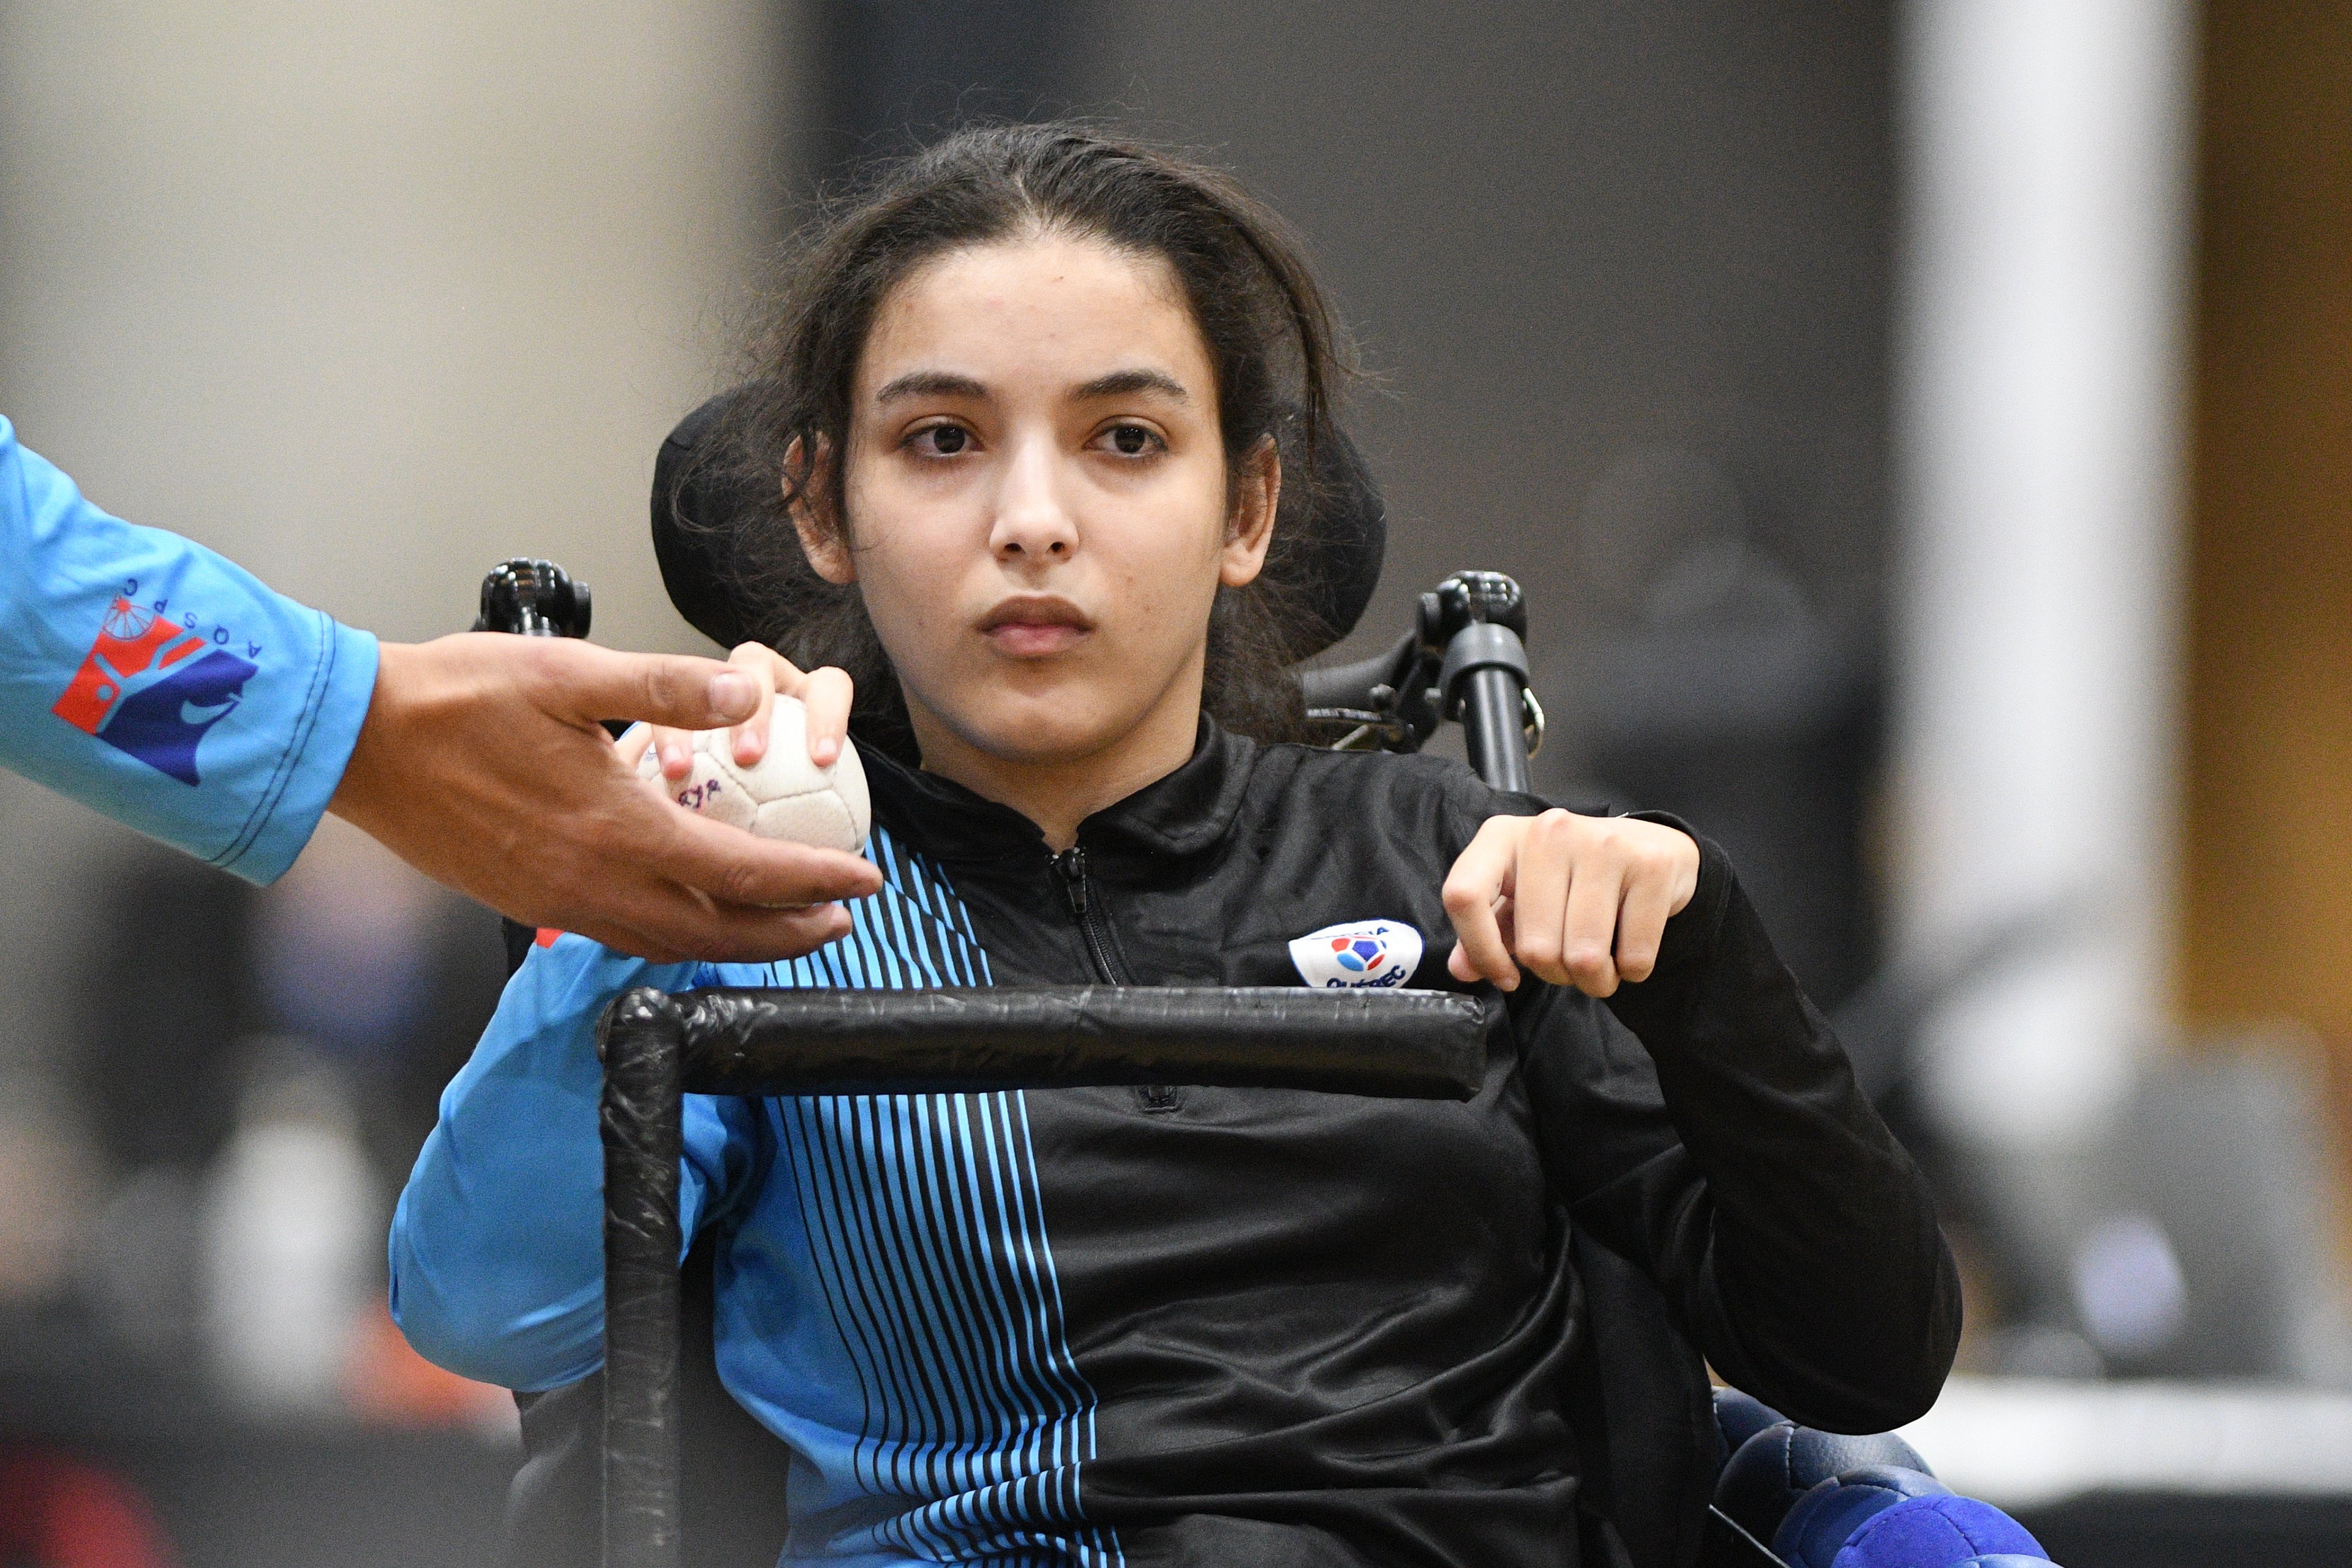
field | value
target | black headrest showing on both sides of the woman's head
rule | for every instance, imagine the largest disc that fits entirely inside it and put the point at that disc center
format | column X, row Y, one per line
column 1339, row 516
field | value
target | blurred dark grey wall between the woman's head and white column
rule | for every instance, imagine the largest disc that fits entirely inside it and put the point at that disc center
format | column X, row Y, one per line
column 1624, row 274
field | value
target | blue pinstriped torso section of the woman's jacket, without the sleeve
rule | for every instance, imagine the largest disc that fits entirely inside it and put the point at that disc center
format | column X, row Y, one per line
column 923, row 1372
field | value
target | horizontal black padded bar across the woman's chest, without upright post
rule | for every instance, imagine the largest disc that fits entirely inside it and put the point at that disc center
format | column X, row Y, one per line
column 1394, row 1045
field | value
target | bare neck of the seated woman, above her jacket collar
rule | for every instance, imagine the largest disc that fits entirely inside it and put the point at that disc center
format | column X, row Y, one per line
column 1060, row 793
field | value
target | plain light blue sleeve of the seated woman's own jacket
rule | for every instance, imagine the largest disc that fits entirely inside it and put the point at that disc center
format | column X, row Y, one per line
column 500, row 1238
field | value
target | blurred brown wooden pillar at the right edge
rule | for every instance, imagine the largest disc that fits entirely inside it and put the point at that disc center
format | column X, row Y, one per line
column 2266, row 913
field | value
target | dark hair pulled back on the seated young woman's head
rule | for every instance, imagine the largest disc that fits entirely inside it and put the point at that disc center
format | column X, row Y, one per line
column 1271, row 337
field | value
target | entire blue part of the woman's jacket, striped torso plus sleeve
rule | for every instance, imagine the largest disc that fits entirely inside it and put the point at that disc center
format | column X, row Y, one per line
column 888, row 1294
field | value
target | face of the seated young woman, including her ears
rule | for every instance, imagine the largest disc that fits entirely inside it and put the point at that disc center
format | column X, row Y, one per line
column 1038, row 502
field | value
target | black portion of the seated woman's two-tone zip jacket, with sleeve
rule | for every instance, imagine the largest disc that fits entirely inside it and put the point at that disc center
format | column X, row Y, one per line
column 1325, row 1329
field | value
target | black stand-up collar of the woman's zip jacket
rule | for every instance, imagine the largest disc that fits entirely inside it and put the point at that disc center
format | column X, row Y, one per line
column 1180, row 815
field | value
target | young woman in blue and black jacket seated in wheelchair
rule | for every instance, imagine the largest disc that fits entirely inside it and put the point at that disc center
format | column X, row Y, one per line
column 1029, row 413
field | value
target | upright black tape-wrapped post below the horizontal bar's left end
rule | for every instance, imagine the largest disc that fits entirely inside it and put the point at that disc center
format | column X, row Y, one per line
column 641, row 1040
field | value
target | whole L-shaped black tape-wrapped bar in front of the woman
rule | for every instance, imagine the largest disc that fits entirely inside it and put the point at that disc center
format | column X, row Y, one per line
column 768, row 1043
